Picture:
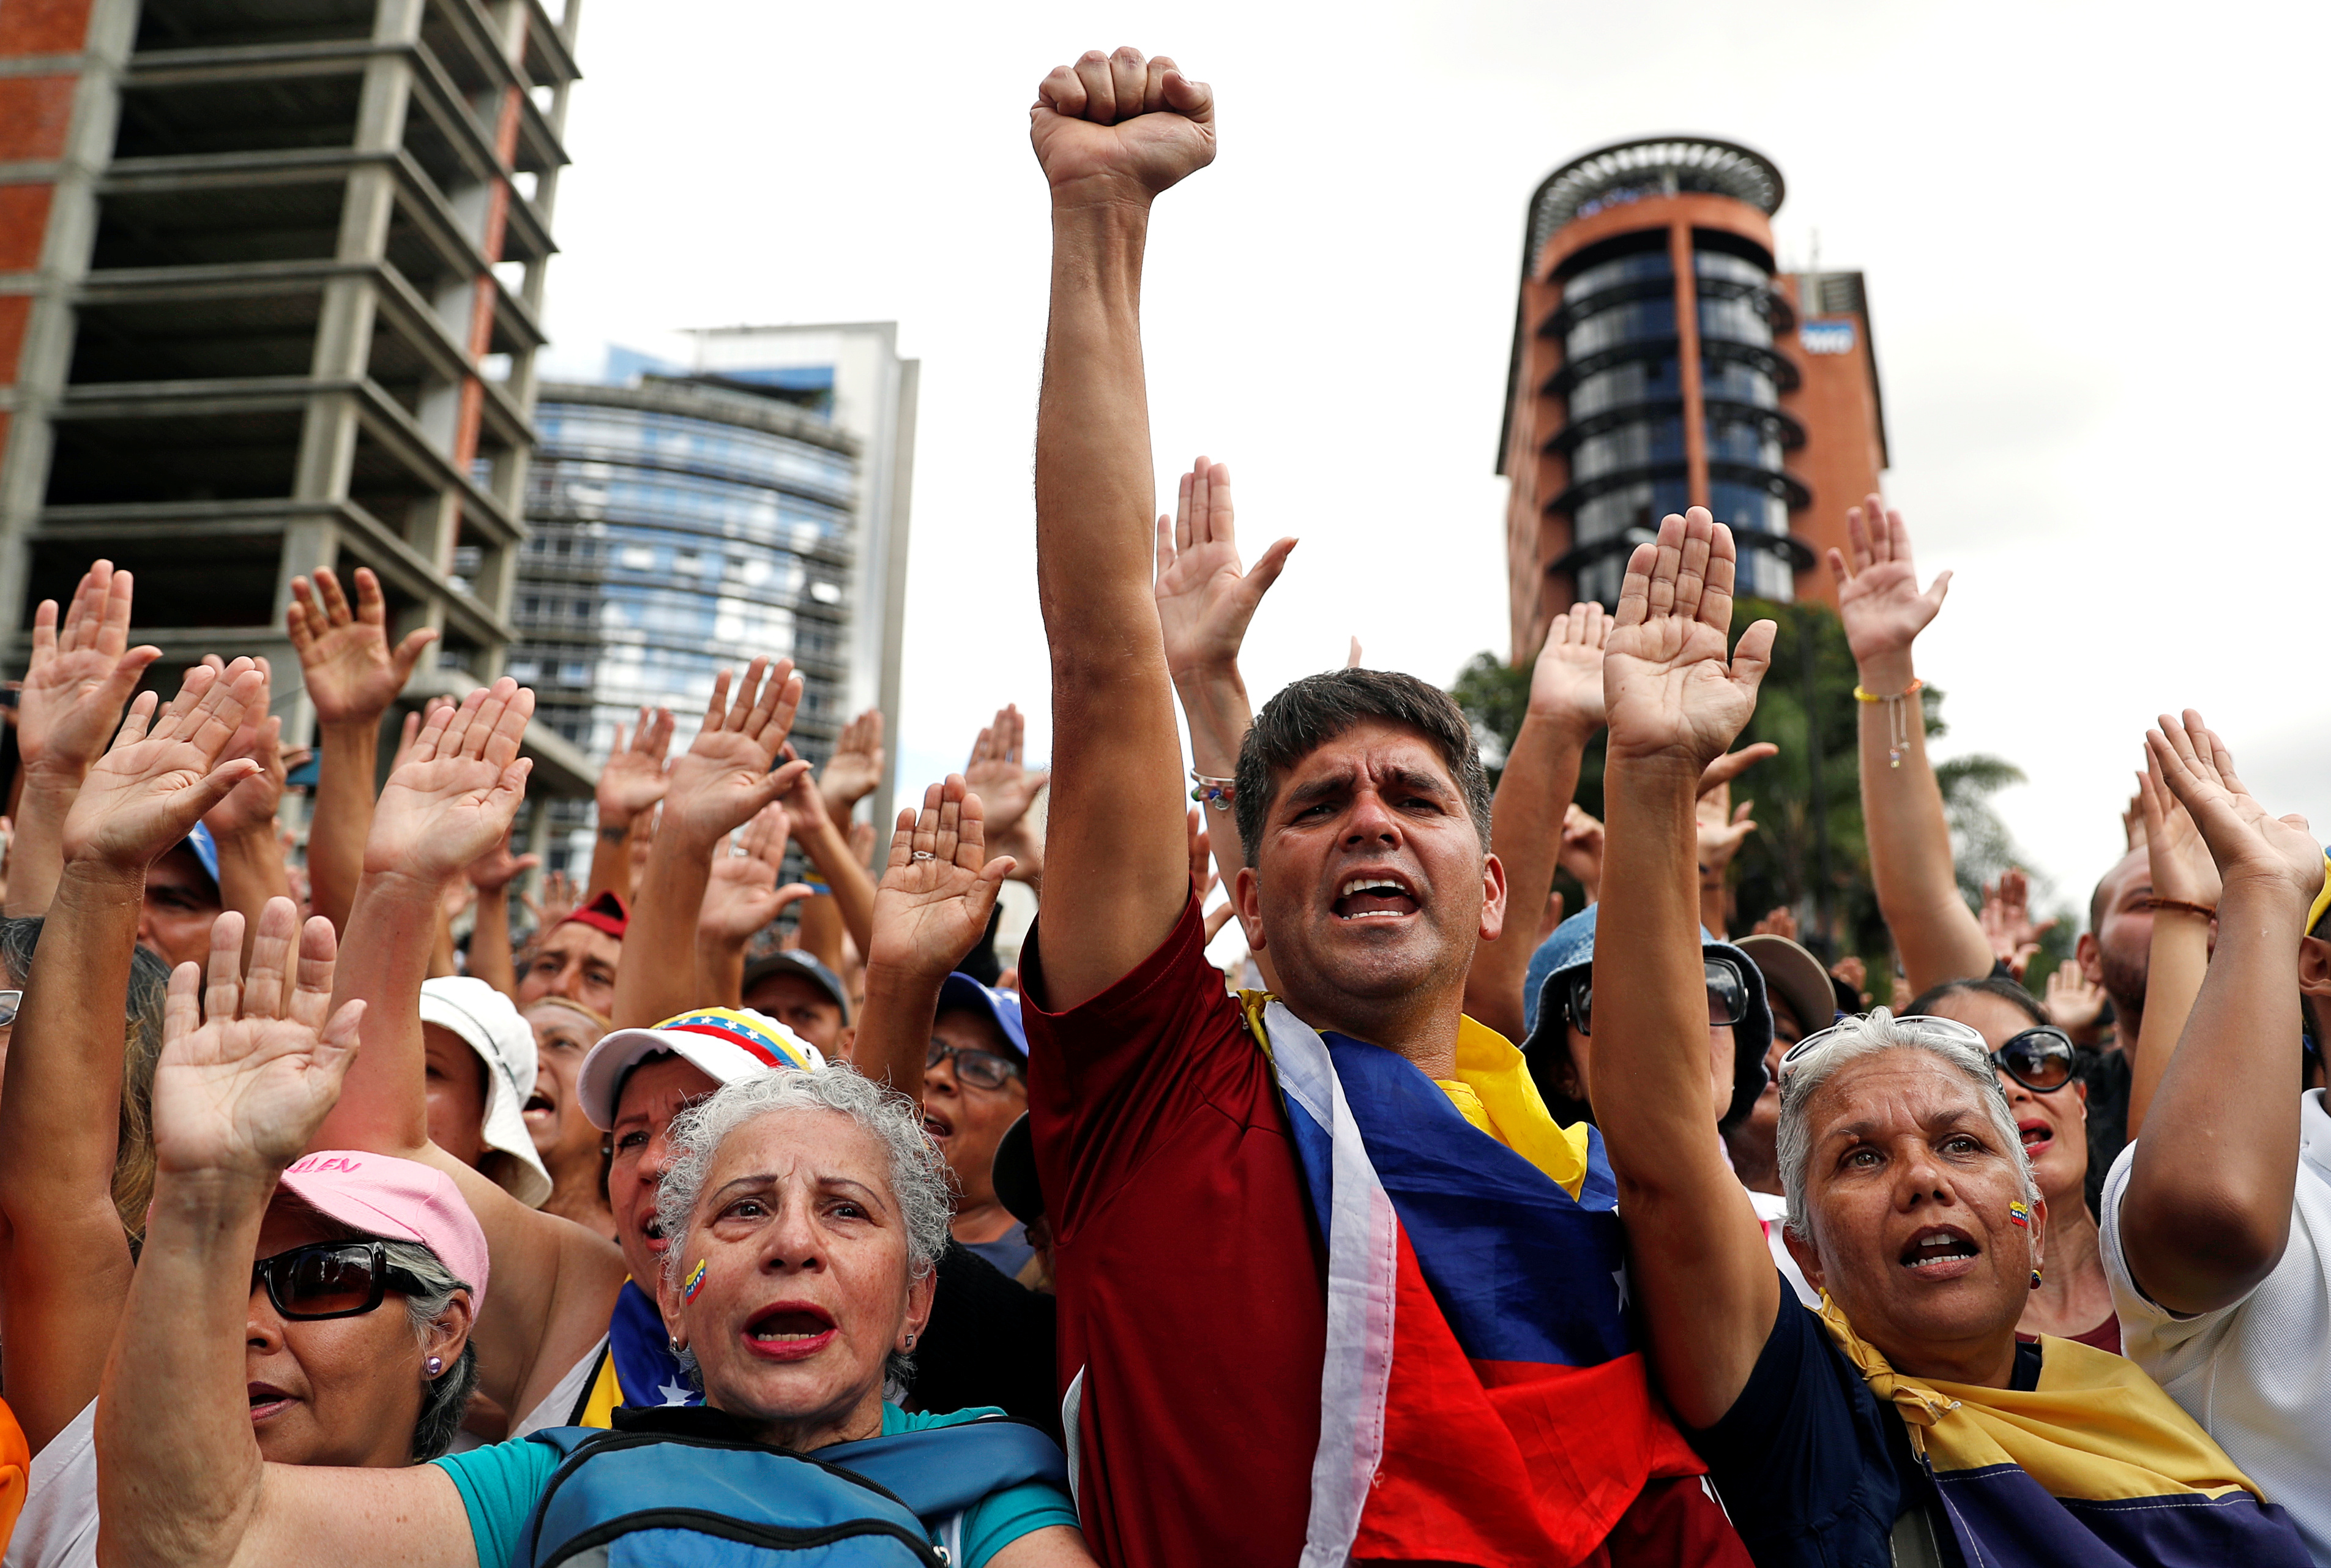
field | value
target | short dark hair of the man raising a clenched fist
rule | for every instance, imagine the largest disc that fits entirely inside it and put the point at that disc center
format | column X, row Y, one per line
column 1318, row 709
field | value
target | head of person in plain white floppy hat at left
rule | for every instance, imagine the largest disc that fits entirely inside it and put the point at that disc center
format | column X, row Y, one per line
column 481, row 1073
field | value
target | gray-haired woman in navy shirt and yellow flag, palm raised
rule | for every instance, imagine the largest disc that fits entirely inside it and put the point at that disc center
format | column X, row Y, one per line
column 1906, row 1422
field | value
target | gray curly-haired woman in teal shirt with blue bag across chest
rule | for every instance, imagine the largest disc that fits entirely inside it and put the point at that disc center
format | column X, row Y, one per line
column 805, row 1213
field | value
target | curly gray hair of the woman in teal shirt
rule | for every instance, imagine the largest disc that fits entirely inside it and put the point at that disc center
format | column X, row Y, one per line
column 917, row 1168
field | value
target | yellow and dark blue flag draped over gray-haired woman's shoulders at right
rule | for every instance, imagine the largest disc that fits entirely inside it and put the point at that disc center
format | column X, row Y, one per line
column 2094, row 1469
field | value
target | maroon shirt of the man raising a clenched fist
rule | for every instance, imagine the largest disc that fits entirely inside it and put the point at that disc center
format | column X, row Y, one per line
column 1190, row 1269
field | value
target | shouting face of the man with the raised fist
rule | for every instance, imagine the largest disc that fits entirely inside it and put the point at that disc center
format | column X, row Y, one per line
column 1369, row 882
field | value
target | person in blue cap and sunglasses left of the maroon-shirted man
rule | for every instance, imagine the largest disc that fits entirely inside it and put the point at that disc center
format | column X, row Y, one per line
column 976, row 1087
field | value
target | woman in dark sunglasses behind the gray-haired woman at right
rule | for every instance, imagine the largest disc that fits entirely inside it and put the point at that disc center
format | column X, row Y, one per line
column 2038, row 1073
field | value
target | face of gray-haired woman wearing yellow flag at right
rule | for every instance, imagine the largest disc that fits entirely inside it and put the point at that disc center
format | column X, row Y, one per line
column 1908, row 1199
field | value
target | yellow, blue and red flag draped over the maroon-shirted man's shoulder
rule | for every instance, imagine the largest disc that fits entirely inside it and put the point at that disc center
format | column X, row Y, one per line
column 1484, row 1399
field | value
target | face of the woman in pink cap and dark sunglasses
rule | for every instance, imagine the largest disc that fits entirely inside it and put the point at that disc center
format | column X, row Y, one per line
column 337, row 1392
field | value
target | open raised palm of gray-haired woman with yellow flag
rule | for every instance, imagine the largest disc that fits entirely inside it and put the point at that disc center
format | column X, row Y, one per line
column 1668, row 686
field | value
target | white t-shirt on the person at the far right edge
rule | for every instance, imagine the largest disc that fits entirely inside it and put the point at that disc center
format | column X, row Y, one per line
column 2258, row 1376
